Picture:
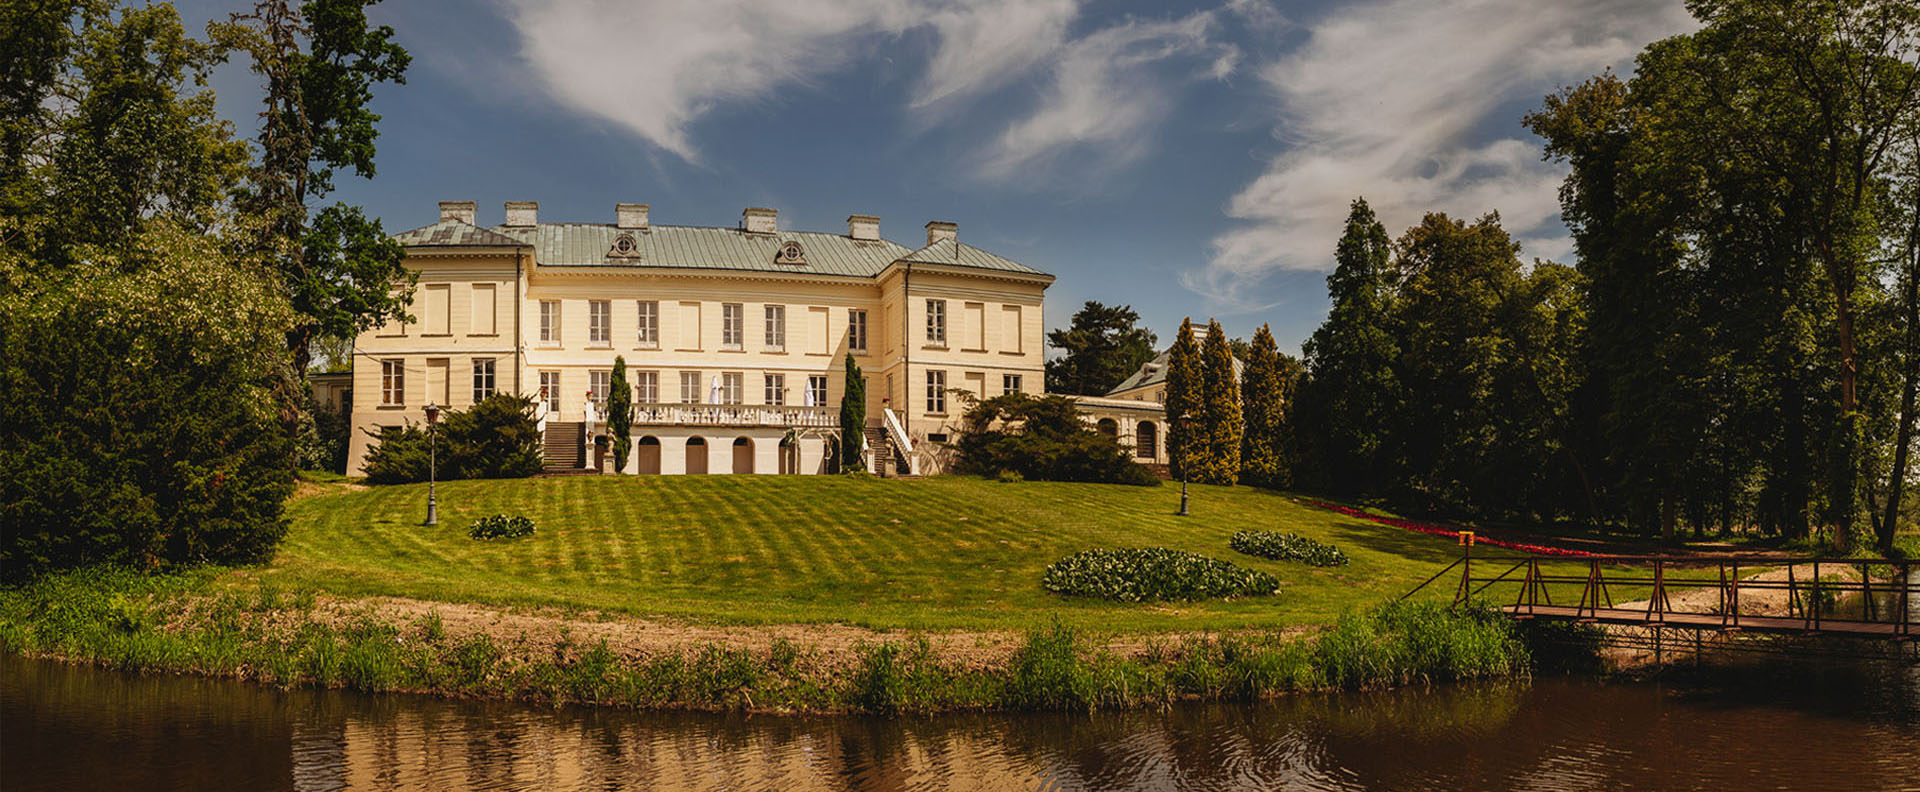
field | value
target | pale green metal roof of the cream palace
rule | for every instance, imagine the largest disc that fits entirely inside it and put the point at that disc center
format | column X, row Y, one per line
column 592, row 245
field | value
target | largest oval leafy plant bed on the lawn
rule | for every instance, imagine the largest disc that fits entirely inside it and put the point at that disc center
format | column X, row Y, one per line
column 1149, row 574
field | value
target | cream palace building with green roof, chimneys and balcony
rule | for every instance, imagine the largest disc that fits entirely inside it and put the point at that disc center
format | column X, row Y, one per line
column 734, row 338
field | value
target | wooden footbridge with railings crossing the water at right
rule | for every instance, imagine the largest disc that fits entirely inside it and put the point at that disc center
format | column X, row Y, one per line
column 1802, row 597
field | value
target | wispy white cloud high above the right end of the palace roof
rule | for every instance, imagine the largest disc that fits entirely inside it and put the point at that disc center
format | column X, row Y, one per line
column 1107, row 93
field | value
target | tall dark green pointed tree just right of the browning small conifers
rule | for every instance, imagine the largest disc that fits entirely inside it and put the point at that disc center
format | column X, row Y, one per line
column 1353, row 392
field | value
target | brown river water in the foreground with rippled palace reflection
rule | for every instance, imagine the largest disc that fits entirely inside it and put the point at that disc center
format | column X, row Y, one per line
column 1758, row 728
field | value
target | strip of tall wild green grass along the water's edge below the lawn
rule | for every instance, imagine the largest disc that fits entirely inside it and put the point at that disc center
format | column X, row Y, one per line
column 176, row 624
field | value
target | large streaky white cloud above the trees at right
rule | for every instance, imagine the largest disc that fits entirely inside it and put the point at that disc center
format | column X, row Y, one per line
column 1393, row 103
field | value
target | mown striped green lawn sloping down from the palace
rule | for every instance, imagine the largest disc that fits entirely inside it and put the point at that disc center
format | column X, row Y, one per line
column 944, row 553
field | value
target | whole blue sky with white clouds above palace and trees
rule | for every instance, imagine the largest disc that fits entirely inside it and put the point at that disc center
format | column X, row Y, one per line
column 1189, row 162
